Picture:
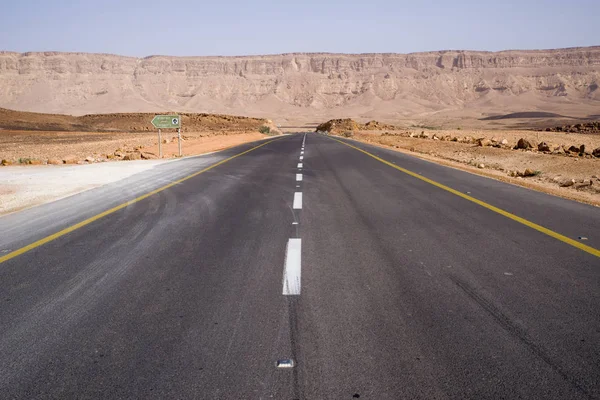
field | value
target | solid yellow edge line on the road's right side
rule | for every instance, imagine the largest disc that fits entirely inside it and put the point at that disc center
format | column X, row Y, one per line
column 539, row 228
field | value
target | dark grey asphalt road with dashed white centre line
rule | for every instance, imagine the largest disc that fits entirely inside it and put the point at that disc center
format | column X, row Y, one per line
column 377, row 284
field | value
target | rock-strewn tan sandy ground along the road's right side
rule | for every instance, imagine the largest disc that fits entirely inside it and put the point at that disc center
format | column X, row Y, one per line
column 500, row 163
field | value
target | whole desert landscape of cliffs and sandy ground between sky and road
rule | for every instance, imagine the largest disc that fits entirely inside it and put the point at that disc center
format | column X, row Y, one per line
column 468, row 109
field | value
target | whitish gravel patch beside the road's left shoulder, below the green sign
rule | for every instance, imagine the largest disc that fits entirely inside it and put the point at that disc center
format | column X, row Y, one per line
column 22, row 187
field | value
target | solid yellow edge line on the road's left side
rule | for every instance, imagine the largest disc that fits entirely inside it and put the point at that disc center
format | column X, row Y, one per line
column 119, row 207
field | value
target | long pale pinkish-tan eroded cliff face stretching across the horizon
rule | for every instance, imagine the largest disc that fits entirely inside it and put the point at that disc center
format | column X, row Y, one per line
column 79, row 83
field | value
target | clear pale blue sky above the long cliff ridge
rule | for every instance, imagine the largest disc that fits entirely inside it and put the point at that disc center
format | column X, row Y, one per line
column 220, row 27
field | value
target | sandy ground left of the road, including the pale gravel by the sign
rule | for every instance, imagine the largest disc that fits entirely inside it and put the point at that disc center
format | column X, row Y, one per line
column 23, row 186
